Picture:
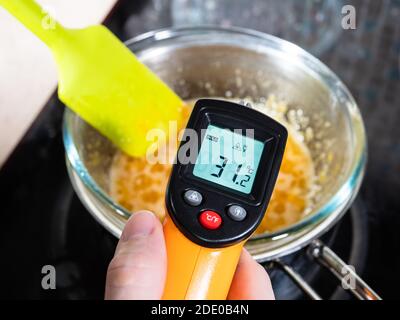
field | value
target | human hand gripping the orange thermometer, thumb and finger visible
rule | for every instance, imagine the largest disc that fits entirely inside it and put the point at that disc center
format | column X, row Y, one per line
column 138, row 269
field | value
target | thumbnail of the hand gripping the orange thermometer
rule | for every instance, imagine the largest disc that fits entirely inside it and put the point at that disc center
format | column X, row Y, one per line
column 141, row 223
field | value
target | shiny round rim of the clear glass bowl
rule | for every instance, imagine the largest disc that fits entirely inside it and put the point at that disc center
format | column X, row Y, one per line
column 341, row 198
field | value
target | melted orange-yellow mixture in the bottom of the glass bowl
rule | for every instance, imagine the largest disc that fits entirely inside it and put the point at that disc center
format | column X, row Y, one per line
column 137, row 185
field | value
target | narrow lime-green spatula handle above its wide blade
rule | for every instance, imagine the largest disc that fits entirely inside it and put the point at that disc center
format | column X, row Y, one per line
column 36, row 19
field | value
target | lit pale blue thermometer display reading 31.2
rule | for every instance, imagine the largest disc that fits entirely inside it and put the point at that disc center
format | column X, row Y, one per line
column 229, row 158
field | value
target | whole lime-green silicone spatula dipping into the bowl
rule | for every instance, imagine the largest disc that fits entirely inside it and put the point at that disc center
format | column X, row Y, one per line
column 102, row 81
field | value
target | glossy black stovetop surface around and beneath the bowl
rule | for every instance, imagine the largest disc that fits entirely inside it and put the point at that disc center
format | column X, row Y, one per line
column 44, row 223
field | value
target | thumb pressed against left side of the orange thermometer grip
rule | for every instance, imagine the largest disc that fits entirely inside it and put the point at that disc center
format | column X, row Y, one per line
column 138, row 269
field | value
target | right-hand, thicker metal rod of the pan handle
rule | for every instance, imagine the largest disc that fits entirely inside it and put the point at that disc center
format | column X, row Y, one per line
column 346, row 274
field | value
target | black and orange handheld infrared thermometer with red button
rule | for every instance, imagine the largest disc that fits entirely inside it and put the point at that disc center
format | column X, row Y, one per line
column 219, row 189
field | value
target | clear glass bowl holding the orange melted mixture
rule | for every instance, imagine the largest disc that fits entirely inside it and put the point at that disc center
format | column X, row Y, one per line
column 206, row 61
